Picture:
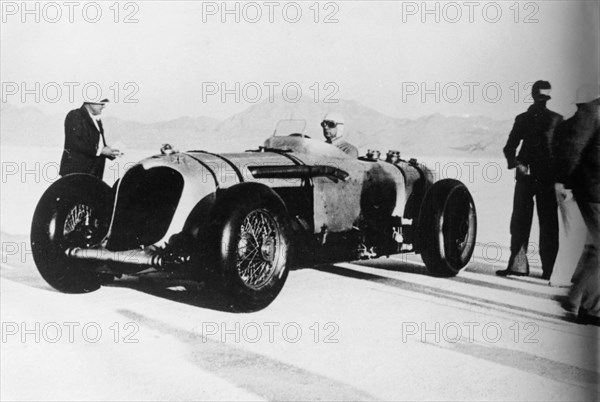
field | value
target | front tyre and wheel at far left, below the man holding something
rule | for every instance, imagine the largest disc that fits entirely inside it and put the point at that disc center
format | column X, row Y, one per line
column 73, row 212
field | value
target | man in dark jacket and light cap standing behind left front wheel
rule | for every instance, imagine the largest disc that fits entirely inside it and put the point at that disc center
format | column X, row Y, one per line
column 85, row 148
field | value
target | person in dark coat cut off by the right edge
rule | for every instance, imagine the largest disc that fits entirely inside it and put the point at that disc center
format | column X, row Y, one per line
column 578, row 167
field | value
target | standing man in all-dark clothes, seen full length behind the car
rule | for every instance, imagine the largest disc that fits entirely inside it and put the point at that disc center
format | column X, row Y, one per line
column 534, row 130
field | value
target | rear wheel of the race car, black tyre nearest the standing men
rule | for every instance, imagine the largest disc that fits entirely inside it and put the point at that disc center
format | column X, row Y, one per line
column 447, row 227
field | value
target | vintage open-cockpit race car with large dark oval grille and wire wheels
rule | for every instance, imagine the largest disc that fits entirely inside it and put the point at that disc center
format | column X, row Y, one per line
column 240, row 221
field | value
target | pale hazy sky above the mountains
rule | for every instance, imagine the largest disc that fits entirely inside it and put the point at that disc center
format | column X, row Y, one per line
column 393, row 56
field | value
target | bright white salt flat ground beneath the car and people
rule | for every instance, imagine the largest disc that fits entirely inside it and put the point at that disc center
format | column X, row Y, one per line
column 374, row 330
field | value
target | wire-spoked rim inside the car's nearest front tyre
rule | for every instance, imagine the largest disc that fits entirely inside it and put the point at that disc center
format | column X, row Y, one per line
column 258, row 248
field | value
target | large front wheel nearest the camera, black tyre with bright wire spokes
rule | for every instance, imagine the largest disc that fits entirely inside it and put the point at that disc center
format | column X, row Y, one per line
column 252, row 235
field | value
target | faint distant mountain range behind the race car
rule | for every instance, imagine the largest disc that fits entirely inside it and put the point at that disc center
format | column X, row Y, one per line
column 366, row 128
